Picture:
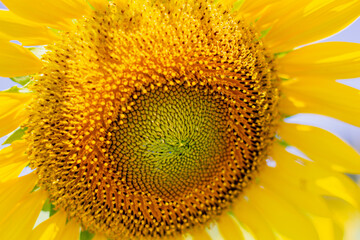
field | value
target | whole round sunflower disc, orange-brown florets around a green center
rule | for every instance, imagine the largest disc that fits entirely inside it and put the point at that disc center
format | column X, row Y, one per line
column 150, row 119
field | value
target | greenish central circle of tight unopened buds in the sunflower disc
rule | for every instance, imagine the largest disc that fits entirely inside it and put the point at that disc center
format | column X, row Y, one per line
column 173, row 140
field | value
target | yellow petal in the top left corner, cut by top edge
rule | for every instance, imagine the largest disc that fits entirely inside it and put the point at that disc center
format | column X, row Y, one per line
column 51, row 13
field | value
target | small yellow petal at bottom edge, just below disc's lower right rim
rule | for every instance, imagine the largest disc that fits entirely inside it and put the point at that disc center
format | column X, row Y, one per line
column 229, row 227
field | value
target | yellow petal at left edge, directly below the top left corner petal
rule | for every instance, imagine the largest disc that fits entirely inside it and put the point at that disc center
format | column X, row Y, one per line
column 28, row 33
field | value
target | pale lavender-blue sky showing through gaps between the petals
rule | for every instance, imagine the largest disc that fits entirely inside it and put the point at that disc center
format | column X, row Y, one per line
column 349, row 133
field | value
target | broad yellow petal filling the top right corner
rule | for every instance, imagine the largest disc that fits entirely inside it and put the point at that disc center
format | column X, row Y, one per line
column 297, row 23
